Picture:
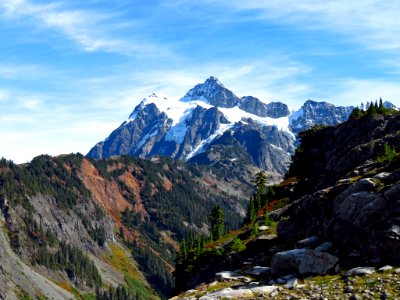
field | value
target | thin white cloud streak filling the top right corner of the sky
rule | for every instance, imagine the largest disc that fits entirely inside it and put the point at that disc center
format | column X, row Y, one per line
column 374, row 23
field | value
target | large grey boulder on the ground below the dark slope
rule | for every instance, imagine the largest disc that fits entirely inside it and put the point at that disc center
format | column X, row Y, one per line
column 303, row 261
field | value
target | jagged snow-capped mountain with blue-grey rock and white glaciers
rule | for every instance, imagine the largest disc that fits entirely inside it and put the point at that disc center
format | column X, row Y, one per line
column 210, row 125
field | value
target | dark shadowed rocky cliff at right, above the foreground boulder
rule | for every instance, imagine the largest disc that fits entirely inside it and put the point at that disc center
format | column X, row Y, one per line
column 348, row 188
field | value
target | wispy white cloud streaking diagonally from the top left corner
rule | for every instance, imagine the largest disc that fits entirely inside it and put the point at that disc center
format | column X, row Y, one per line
column 90, row 29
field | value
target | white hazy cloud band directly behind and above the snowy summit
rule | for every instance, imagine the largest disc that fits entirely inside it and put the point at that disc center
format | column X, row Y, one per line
column 270, row 78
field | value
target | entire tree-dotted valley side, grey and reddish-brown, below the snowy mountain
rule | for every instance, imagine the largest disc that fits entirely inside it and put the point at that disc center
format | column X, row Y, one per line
column 119, row 220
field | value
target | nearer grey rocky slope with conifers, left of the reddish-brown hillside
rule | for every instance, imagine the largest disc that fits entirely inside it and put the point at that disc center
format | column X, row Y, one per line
column 59, row 240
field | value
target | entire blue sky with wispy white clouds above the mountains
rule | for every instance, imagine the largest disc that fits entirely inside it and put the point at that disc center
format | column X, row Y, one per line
column 71, row 71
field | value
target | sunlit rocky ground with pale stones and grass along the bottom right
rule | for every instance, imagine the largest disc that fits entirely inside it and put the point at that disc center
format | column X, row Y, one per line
column 257, row 283
